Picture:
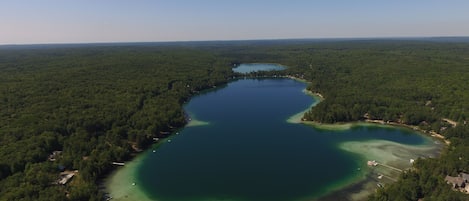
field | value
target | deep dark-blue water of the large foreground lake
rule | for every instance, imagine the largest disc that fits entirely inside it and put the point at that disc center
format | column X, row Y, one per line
column 248, row 151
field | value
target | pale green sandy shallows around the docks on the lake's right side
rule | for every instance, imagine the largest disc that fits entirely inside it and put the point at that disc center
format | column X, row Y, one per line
column 393, row 158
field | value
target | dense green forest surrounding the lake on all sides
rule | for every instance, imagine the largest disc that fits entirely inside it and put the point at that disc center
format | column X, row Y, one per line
column 103, row 103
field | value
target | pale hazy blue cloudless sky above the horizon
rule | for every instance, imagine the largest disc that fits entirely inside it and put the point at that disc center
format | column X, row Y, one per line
column 90, row 21
